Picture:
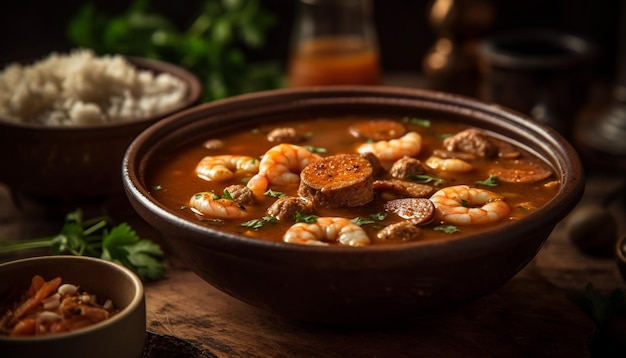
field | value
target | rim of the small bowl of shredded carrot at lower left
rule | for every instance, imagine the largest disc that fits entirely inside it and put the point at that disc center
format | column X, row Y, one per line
column 135, row 303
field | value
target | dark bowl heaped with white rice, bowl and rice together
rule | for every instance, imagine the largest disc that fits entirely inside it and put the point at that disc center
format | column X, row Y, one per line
column 66, row 120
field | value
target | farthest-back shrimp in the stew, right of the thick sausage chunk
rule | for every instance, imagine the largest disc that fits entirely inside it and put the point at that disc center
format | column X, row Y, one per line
column 409, row 144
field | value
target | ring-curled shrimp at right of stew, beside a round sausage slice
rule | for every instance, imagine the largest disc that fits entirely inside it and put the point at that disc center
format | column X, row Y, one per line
column 462, row 205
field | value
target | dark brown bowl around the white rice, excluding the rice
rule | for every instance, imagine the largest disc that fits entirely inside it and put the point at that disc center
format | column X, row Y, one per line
column 71, row 165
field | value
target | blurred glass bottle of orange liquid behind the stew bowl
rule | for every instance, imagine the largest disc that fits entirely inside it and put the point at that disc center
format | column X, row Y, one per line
column 333, row 42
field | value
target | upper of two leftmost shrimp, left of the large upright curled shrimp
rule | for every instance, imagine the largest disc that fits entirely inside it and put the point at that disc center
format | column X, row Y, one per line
column 223, row 167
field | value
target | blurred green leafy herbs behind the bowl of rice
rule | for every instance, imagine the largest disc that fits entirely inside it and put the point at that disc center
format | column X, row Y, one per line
column 213, row 47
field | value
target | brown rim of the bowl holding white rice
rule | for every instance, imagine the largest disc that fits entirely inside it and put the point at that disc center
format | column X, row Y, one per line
column 194, row 91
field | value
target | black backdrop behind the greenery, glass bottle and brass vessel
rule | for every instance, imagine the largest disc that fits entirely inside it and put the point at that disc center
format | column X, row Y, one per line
column 31, row 29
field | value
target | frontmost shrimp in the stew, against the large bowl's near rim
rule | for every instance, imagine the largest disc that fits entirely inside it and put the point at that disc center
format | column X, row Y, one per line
column 326, row 229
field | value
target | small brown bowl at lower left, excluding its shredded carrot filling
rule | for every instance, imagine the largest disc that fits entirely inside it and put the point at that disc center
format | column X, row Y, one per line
column 122, row 335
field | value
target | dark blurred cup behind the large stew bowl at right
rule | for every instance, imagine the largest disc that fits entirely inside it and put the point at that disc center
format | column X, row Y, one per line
column 544, row 74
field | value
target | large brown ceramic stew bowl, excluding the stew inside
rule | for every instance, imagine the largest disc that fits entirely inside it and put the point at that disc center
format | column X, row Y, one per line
column 348, row 285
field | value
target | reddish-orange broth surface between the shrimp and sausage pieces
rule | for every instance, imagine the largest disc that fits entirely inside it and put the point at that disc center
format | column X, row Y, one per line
column 174, row 176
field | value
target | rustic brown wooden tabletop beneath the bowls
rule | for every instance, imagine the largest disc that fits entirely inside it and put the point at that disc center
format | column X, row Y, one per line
column 533, row 315
